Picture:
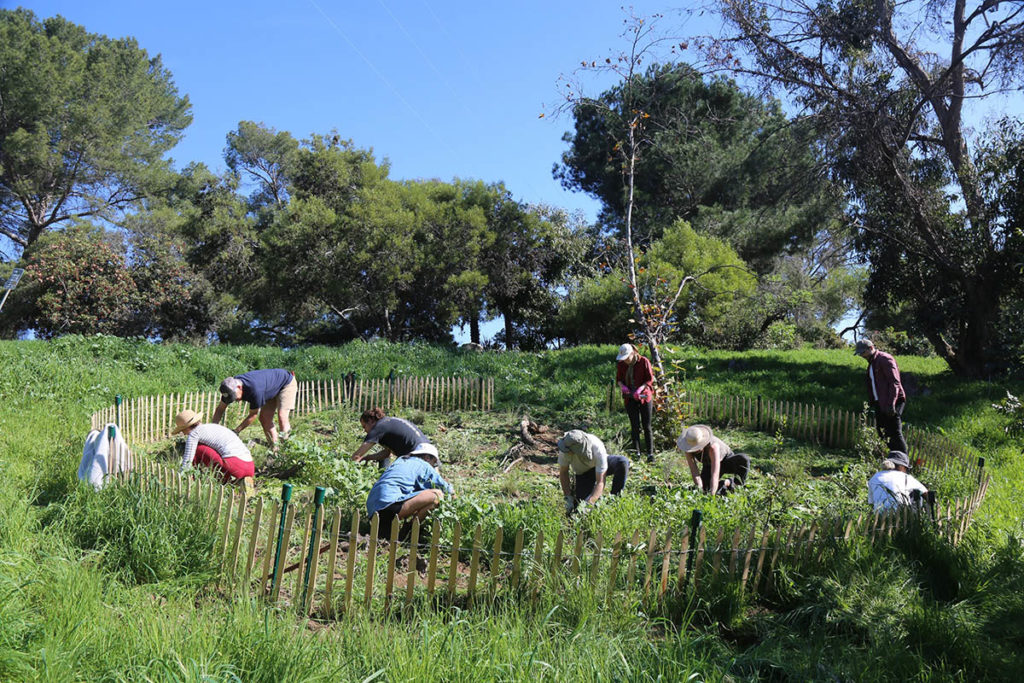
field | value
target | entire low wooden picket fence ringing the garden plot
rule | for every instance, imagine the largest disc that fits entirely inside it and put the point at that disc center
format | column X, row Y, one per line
column 313, row 560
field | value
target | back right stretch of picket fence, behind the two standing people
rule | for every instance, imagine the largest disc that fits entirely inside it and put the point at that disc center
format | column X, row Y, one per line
column 826, row 426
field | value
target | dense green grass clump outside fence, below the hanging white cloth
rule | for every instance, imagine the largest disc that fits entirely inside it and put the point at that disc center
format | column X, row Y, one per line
column 142, row 537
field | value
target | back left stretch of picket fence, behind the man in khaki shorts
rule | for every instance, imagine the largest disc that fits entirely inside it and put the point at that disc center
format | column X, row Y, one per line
column 147, row 419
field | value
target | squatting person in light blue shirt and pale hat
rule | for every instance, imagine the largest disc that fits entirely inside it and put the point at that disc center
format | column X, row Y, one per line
column 410, row 488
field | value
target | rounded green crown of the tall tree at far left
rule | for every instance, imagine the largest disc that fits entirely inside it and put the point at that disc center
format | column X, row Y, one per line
column 86, row 122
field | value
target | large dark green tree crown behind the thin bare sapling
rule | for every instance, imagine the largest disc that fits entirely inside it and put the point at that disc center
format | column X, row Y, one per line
column 729, row 162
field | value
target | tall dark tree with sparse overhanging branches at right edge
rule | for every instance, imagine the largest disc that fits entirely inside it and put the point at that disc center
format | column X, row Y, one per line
column 888, row 86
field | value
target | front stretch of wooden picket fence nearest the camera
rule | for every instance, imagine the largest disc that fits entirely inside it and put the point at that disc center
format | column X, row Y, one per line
column 326, row 568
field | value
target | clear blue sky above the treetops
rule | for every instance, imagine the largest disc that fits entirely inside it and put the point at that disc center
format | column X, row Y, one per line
column 441, row 90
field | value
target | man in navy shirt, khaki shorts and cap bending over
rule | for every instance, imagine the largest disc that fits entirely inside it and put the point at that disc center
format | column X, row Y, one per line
column 267, row 392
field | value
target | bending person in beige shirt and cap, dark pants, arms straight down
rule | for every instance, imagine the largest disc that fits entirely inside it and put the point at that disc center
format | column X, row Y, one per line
column 590, row 462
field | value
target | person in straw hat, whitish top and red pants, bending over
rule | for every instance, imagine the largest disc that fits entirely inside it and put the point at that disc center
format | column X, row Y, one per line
column 217, row 447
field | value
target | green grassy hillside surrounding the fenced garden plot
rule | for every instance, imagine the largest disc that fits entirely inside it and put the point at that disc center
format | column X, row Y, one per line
column 71, row 609
